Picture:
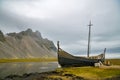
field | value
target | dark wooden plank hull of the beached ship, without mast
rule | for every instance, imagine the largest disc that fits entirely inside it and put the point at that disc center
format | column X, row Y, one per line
column 65, row 59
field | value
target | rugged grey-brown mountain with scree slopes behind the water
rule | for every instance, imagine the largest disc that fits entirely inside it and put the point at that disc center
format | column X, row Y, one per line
column 26, row 44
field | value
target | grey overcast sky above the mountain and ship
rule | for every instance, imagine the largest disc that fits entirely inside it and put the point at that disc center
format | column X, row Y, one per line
column 66, row 21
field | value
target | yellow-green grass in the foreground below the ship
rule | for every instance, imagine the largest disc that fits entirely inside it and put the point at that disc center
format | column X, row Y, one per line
column 91, row 73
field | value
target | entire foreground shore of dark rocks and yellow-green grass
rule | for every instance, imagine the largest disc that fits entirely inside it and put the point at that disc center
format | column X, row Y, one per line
column 72, row 73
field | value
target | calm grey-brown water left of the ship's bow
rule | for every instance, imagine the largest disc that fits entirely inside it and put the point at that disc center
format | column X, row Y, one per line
column 26, row 67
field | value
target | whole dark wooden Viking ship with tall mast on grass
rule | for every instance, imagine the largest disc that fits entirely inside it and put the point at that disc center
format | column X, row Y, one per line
column 65, row 59
